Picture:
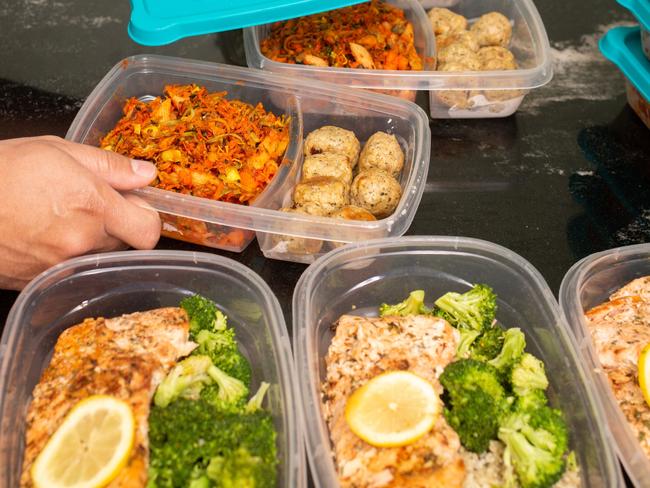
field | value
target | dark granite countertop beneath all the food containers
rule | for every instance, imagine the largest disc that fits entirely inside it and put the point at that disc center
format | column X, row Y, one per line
column 566, row 176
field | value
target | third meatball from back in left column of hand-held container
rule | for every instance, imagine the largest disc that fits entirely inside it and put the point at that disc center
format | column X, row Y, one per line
column 320, row 195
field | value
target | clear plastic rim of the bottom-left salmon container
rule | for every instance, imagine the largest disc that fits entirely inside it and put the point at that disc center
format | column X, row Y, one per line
column 277, row 324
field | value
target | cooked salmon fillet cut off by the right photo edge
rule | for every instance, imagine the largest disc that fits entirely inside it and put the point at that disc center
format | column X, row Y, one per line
column 620, row 329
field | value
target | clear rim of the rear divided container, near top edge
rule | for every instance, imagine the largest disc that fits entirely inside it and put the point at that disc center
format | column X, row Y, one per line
column 522, row 79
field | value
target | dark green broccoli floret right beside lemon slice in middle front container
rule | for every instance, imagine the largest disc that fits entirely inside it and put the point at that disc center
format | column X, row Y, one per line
column 474, row 402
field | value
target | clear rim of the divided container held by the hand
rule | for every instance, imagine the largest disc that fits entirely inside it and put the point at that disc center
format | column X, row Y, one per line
column 269, row 220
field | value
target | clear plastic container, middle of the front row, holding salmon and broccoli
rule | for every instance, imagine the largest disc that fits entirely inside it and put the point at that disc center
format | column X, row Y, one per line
column 358, row 278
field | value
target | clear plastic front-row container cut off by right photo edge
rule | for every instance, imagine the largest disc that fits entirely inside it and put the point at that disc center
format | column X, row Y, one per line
column 587, row 284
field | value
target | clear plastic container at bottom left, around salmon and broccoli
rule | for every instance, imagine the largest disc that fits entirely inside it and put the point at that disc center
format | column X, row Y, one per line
column 117, row 283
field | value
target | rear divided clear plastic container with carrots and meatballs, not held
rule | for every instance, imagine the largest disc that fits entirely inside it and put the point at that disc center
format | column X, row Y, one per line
column 505, row 89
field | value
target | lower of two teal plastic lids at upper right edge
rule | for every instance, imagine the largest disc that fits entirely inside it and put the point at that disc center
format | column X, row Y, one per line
column 622, row 46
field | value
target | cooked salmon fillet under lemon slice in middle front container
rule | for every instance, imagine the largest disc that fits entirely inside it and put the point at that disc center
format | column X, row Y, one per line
column 361, row 349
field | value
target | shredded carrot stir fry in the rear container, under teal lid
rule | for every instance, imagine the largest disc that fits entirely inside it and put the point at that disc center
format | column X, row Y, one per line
column 373, row 35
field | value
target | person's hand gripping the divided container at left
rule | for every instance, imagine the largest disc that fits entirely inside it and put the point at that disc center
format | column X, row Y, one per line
column 61, row 199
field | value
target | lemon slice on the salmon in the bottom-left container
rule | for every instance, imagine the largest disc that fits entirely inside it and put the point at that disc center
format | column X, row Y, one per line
column 89, row 448
